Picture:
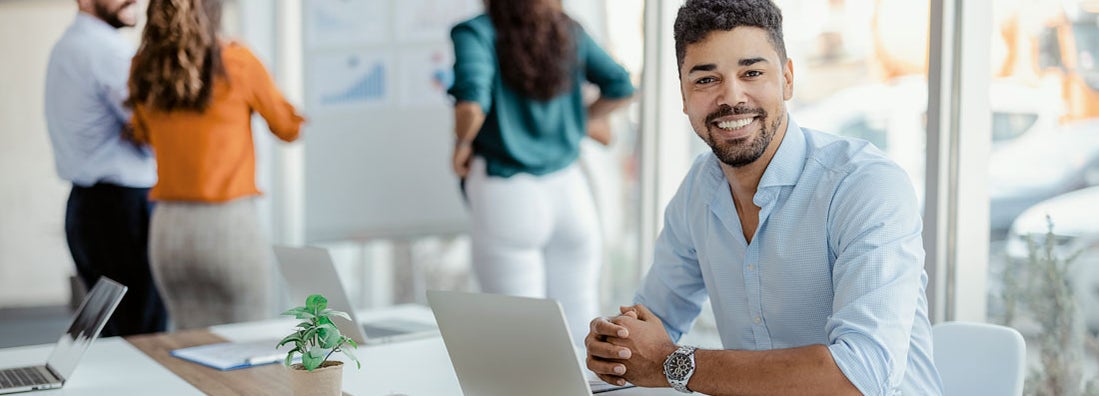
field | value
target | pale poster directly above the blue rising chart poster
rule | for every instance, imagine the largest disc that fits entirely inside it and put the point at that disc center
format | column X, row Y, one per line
column 342, row 24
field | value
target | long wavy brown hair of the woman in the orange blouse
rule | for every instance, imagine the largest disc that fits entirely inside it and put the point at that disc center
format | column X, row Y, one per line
column 180, row 57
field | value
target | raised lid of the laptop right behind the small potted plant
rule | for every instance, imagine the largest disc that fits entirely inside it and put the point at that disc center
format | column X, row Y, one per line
column 310, row 271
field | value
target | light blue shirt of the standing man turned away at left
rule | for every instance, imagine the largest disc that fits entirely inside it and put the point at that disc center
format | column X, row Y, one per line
column 86, row 85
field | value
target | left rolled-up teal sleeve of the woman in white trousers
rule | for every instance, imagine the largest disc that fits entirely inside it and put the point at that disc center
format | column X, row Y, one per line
column 474, row 67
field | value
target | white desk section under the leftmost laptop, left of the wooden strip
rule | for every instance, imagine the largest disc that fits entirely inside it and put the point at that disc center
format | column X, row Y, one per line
column 112, row 367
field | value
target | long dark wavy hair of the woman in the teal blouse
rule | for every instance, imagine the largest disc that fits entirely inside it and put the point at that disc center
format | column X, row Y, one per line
column 536, row 46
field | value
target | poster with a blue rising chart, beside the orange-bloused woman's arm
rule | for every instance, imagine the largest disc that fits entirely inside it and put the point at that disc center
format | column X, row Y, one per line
column 350, row 82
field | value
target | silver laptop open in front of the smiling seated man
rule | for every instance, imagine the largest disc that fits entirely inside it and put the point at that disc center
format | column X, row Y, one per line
column 505, row 346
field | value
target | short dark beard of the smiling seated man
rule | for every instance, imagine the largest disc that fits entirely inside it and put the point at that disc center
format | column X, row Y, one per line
column 730, row 152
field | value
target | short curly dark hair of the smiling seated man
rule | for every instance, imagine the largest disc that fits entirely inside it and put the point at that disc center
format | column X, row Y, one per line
column 698, row 18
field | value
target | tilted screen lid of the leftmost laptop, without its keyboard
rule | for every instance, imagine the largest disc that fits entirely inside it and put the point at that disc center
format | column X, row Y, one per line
column 87, row 323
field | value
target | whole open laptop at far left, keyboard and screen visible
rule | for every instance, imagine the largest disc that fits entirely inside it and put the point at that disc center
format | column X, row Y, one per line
column 88, row 321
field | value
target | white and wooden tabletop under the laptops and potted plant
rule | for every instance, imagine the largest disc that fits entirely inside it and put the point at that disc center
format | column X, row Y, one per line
column 114, row 367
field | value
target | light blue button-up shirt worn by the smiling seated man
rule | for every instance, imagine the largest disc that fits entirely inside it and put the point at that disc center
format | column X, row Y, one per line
column 837, row 260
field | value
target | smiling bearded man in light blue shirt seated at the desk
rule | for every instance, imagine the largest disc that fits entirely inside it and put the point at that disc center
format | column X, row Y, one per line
column 807, row 245
